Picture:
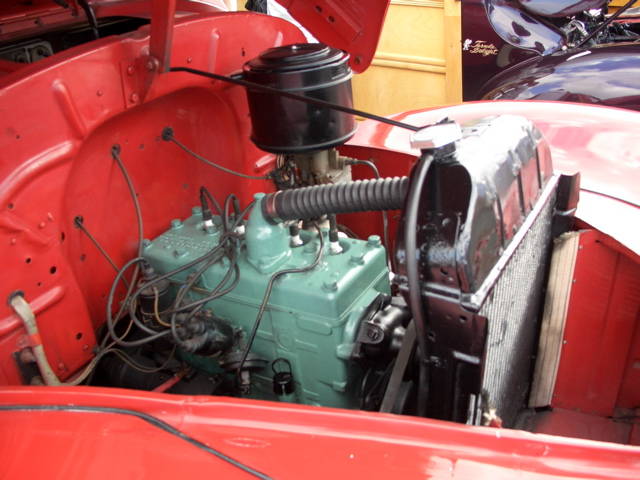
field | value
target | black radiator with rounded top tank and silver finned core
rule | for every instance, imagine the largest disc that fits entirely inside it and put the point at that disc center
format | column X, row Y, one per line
column 484, row 240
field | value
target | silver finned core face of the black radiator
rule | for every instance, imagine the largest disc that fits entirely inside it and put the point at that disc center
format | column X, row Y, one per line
column 512, row 311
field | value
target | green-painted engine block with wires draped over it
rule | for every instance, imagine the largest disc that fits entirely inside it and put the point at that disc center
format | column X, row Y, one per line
column 312, row 318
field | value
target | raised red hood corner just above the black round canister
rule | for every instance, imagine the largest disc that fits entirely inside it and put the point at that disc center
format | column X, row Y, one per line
column 351, row 25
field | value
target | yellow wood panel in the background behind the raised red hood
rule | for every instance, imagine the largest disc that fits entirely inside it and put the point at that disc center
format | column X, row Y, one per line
column 418, row 60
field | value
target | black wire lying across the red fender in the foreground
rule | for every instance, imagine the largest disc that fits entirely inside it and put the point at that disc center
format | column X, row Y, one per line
column 150, row 419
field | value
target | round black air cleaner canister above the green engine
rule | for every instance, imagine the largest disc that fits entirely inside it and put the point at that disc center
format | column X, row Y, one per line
column 284, row 125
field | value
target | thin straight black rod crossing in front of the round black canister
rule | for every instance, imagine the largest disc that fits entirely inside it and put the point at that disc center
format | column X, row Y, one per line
column 313, row 101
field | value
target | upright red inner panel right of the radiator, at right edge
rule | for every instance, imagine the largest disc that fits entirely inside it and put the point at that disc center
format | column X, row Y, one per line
column 599, row 331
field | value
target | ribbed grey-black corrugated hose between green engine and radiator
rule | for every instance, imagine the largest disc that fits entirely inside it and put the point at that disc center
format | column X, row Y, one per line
column 358, row 196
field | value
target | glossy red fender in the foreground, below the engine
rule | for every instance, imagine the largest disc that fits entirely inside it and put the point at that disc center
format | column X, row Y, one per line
column 283, row 441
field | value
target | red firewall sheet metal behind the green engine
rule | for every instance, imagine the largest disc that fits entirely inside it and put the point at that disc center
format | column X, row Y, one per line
column 73, row 107
